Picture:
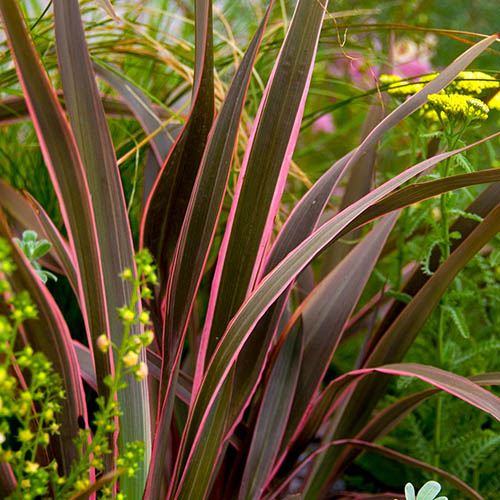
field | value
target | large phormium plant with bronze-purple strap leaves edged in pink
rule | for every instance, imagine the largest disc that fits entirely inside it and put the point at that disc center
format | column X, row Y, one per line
column 237, row 391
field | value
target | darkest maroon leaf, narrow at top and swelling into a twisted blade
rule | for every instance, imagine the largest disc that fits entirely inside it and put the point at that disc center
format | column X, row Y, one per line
column 166, row 206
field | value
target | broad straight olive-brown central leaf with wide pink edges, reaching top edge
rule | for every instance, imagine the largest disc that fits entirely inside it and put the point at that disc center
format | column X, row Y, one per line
column 262, row 175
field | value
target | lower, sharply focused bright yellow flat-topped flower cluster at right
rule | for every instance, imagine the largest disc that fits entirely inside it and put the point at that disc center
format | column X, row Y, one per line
column 458, row 105
